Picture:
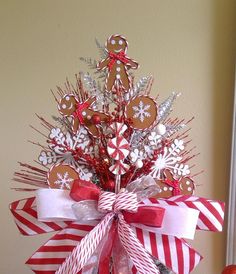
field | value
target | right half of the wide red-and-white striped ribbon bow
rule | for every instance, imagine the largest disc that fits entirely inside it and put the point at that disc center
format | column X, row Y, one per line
column 174, row 252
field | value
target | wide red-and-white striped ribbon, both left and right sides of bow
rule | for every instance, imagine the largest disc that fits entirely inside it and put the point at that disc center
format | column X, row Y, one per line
column 172, row 251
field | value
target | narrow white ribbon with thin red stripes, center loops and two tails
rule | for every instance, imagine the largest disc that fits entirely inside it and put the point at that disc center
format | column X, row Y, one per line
column 139, row 256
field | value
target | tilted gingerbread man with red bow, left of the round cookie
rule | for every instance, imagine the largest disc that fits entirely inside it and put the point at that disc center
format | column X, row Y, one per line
column 81, row 112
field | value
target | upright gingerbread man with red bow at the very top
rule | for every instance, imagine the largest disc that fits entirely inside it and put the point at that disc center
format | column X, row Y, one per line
column 117, row 63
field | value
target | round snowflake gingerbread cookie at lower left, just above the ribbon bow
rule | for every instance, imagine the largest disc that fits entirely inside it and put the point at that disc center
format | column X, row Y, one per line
column 61, row 176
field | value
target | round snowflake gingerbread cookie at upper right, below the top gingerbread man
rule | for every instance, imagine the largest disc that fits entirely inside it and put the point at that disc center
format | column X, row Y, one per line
column 142, row 112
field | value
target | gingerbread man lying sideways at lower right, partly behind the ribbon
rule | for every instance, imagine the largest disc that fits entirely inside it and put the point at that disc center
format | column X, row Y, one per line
column 170, row 186
